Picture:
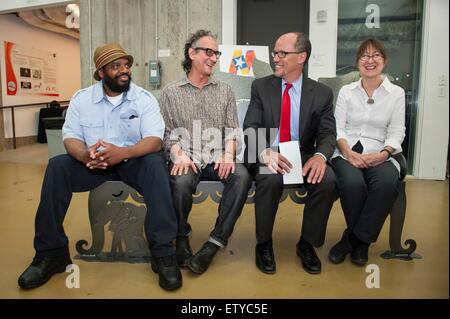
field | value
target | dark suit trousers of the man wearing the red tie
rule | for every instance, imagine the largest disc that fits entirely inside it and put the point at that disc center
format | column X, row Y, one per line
column 319, row 201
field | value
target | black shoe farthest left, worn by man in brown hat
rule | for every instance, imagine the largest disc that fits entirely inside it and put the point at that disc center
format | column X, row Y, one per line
column 42, row 269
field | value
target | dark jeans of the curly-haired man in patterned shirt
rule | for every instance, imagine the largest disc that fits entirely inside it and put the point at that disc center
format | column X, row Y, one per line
column 233, row 199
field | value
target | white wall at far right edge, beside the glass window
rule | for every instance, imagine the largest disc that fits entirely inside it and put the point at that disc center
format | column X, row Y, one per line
column 433, row 108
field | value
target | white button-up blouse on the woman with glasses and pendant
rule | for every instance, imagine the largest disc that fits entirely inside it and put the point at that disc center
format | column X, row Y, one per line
column 375, row 125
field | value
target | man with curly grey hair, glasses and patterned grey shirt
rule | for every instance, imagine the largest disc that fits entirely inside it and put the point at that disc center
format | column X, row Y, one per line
column 198, row 101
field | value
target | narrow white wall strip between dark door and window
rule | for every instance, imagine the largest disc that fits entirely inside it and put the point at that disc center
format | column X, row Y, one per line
column 323, row 36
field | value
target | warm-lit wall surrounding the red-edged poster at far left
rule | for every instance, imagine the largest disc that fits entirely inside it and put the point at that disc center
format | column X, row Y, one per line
column 15, row 30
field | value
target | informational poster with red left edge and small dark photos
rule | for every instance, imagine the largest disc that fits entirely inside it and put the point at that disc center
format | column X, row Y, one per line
column 29, row 71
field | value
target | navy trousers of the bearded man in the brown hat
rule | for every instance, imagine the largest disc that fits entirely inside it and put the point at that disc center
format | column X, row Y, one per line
column 65, row 175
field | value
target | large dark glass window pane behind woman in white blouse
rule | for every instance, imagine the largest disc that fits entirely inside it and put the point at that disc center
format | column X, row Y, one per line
column 398, row 24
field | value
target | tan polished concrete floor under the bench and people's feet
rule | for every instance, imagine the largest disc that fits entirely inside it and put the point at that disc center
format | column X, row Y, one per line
column 233, row 273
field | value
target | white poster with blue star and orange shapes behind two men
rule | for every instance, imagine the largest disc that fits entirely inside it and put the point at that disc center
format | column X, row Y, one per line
column 238, row 59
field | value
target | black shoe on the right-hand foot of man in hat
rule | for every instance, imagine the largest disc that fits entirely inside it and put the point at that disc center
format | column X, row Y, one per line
column 169, row 273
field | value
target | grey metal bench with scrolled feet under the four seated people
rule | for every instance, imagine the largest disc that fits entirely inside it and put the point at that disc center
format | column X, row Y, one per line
column 123, row 208
